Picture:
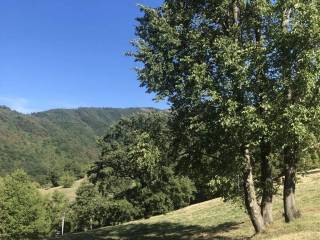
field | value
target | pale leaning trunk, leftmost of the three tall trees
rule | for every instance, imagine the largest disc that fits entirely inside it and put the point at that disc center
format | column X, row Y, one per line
column 251, row 203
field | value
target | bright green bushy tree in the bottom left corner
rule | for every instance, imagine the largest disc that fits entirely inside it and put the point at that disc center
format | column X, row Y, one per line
column 22, row 210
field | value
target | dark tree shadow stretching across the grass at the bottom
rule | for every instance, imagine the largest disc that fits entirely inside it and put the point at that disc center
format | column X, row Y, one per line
column 158, row 231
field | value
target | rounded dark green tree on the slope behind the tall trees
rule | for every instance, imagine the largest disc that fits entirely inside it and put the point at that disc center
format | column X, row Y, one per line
column 136, row 165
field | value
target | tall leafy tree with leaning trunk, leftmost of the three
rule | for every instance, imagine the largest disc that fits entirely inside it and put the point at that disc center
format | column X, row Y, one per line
column 201, row 66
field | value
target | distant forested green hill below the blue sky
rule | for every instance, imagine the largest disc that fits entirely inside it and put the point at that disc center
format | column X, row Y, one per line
column 46, row 144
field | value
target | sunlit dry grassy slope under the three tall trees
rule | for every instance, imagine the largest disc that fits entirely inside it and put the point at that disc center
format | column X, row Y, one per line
column 218, row 220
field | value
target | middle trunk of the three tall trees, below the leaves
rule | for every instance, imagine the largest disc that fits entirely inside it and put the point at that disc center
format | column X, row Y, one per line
column 267, row 183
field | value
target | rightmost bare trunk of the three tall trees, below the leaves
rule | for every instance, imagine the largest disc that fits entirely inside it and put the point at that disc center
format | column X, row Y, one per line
column 290, row 210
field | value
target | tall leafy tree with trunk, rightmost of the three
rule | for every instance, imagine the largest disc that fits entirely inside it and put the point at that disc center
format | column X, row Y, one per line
column 297, row 66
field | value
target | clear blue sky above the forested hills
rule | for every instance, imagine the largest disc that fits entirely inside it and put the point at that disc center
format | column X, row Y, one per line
column 69, row 53
